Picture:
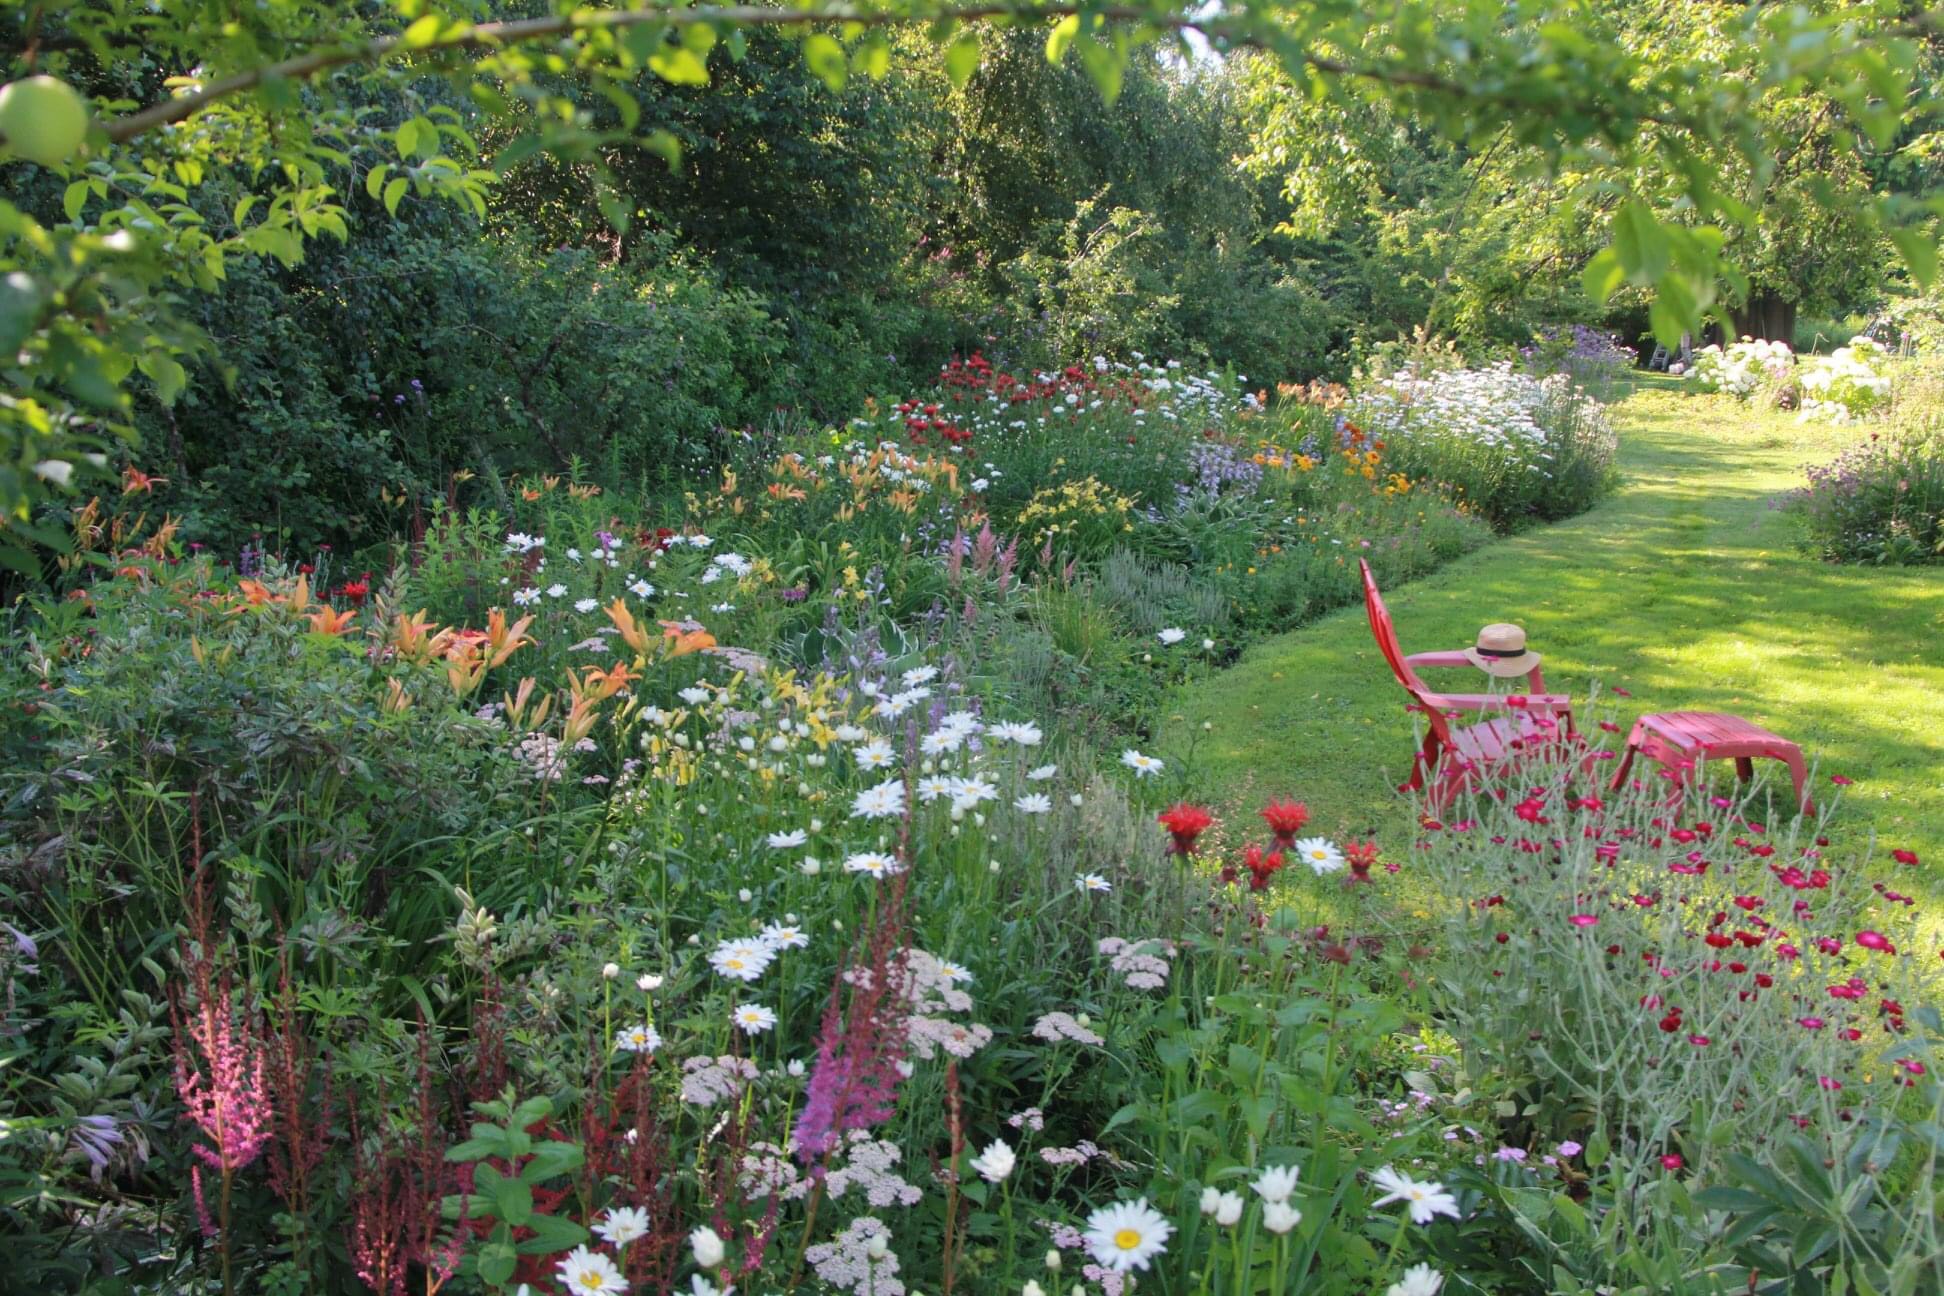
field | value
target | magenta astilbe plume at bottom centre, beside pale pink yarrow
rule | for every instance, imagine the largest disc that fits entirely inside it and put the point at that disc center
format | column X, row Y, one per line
column 854, row 1081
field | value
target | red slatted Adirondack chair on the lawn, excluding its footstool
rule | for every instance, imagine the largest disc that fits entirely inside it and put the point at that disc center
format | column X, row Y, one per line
column 1453, row 757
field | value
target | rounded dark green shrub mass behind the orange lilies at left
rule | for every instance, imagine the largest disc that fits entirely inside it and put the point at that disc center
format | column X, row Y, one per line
column 361, row 384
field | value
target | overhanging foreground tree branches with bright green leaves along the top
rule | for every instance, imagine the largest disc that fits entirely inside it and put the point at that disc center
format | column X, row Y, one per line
column 221, row 133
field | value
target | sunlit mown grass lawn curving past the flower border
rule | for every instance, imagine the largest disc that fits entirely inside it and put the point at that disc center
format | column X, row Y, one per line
column 1684, row 590
